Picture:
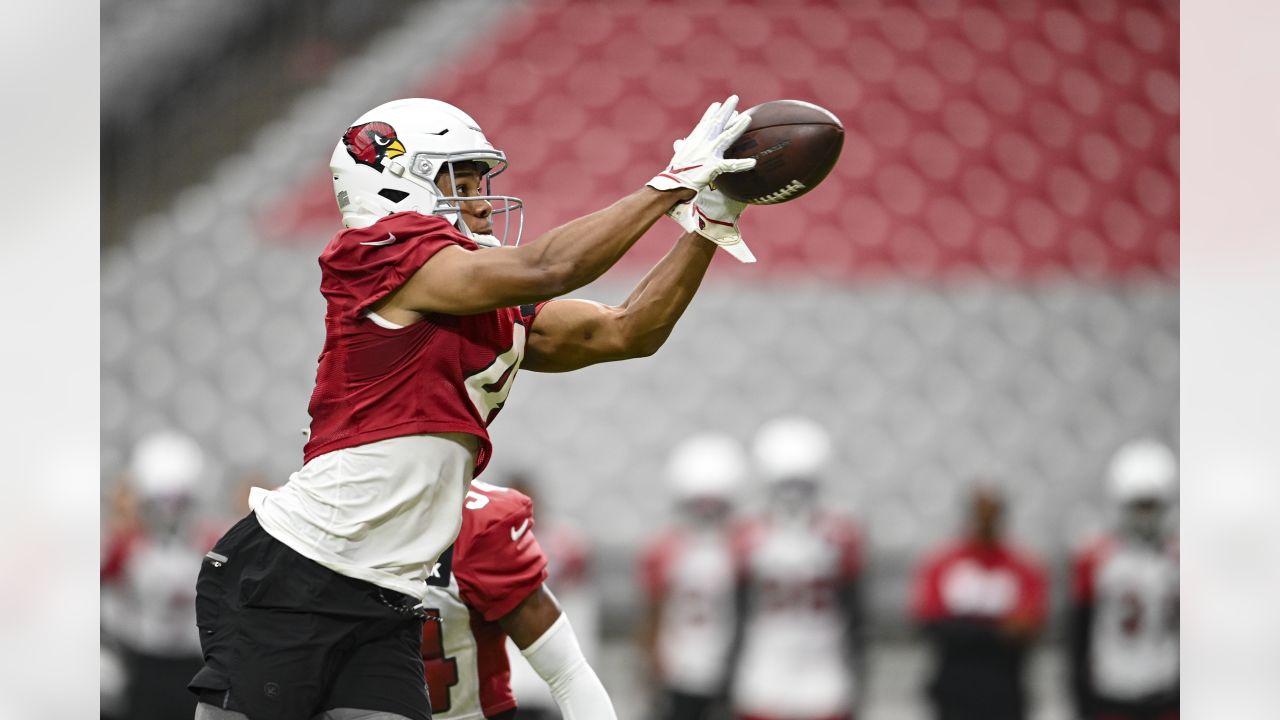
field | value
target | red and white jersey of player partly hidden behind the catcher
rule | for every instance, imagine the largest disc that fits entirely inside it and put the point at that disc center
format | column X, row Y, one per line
column 495, row 564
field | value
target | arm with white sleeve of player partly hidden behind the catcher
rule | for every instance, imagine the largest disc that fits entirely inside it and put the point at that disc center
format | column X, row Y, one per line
column 547, row 640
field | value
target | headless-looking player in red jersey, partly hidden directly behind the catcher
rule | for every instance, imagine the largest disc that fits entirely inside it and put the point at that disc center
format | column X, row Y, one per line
column 490, row 586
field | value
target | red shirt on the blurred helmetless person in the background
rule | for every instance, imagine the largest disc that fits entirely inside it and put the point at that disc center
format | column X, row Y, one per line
column 971, row 581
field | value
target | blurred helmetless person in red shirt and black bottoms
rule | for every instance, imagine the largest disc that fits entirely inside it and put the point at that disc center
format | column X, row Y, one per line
column 981, row 603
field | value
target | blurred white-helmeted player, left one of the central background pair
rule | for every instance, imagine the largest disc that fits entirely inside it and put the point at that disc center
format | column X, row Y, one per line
column 689, row 578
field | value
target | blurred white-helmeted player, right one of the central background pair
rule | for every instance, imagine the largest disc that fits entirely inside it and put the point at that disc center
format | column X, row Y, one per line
column 799, row 646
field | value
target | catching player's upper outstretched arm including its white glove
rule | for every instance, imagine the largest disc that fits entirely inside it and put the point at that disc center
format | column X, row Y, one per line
column 460, row 282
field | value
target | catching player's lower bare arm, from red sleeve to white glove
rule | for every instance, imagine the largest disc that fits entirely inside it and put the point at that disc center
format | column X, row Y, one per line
column 569, row 335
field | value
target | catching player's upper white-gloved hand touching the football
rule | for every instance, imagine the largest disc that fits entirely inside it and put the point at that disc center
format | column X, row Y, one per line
column 701, row 156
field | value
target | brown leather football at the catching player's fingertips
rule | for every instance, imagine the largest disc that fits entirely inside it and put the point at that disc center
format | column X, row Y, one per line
column 796, row 144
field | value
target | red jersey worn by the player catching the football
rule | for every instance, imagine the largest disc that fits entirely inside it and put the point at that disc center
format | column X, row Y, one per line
column 442, row 375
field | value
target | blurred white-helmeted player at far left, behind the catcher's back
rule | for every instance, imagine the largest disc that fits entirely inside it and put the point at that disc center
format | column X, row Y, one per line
column 149, row 576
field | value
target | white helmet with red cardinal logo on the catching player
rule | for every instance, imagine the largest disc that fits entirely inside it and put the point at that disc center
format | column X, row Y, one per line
column 388, row 160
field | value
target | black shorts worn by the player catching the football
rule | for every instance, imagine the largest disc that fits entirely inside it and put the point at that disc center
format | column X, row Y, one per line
column 286, row 639
